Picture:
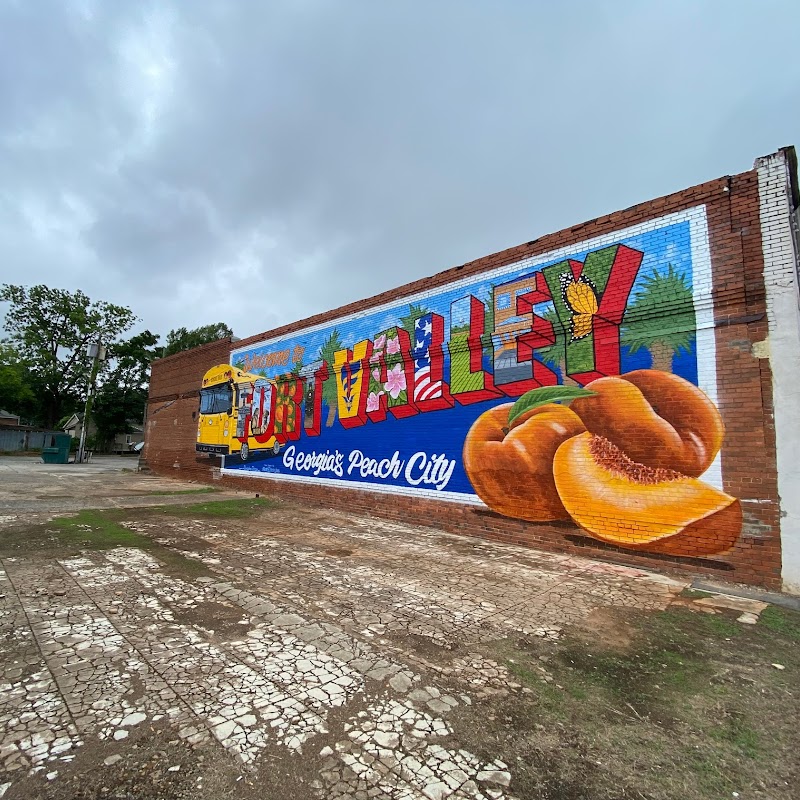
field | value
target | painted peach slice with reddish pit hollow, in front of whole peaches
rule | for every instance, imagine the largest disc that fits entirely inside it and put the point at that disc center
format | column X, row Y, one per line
column 630, row 504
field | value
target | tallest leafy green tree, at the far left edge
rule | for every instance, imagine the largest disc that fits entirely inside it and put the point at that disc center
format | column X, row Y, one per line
column 51, row 328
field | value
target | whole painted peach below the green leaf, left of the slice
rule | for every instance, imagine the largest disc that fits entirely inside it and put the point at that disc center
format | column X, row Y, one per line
column 511, row 467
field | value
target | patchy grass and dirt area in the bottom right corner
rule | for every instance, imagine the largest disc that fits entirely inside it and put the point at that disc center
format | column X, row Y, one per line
column 690, row 706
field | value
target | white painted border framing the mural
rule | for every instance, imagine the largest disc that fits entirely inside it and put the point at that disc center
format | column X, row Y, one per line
column 702, row 283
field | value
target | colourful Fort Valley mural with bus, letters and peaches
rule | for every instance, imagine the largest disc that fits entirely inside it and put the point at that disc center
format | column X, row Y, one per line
column 578, row 387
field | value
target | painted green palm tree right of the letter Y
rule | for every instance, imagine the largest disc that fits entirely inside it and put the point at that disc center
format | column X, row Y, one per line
column 661, row 318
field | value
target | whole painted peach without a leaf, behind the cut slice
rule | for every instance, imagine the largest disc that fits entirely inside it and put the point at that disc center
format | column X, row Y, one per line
column 656, row 418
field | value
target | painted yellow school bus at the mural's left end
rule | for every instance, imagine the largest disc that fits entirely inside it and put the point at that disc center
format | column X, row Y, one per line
column 236, row 410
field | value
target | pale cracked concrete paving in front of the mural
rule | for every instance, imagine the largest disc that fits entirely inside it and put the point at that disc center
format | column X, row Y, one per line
column 349, row 641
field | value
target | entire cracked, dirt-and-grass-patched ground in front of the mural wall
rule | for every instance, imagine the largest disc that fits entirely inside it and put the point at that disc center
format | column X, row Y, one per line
column 160, row 640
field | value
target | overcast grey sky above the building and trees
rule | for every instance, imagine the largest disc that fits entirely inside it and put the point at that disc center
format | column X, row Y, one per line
column 257, row 162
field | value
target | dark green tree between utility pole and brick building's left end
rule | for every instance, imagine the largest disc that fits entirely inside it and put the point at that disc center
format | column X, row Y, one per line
column 122, row 396
